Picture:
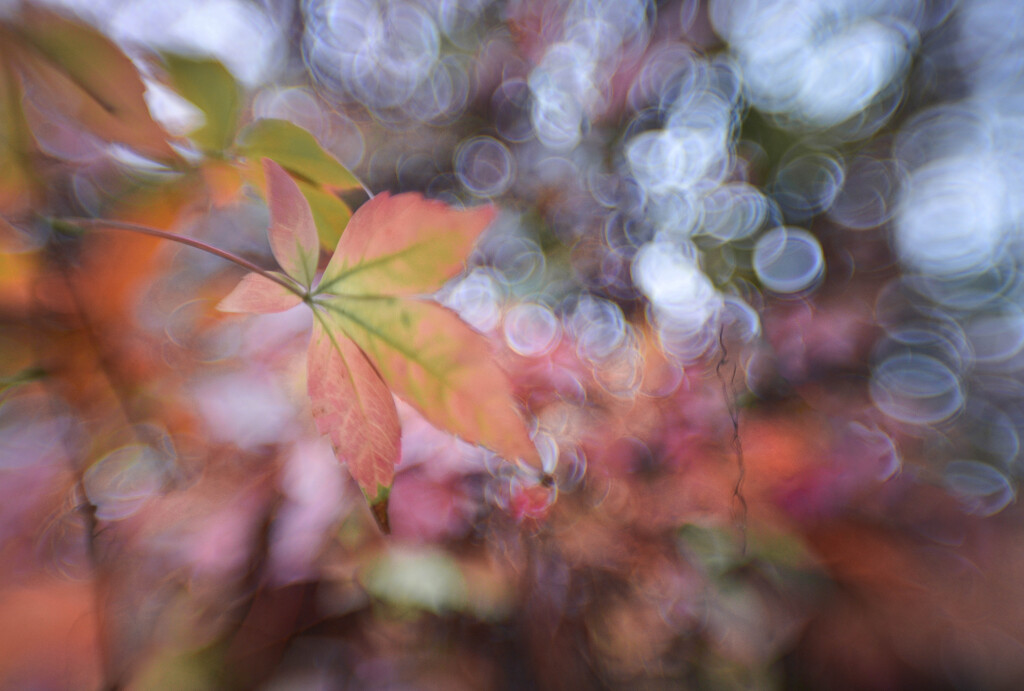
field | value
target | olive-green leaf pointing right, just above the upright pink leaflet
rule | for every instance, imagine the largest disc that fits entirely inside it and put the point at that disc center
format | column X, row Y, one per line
column 297, row 151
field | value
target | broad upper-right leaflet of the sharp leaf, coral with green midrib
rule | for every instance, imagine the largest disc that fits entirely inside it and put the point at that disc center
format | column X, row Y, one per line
column 403, row 245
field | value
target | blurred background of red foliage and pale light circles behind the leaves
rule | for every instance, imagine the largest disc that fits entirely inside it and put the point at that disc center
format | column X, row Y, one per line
column 755, row 277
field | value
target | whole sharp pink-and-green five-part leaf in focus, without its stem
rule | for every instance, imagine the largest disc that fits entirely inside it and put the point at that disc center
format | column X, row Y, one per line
column 376, row 333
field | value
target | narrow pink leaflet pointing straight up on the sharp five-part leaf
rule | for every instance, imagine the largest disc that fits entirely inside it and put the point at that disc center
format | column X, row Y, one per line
column 293, row 233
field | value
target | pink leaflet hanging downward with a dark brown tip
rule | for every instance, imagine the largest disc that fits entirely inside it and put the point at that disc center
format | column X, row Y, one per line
column 355, row 408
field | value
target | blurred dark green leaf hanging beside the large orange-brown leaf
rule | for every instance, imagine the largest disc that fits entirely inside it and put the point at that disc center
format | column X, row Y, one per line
column 211, row 88
